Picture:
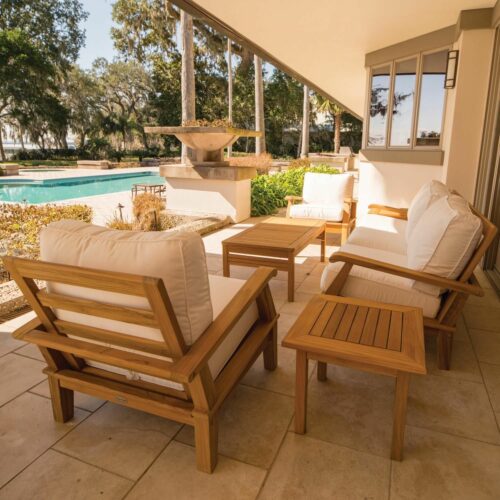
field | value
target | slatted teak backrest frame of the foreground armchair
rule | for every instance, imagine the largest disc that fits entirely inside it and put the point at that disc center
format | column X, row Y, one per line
column 160, row 316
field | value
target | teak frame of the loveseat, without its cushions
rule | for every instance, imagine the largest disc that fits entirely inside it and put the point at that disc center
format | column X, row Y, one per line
column 453, row 301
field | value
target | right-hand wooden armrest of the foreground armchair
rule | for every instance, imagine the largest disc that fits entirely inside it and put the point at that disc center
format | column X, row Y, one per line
column 201, row 351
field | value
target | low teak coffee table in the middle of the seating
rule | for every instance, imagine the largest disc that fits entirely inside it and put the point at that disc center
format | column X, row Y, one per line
column 275, row 243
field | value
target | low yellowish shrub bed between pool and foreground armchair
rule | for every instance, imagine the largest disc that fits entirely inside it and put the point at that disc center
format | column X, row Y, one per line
column 21, row 224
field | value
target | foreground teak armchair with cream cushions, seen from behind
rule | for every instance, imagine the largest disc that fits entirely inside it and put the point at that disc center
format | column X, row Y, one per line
column 125, row 337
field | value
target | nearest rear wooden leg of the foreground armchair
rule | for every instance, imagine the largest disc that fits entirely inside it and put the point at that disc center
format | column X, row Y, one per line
column 206, row 440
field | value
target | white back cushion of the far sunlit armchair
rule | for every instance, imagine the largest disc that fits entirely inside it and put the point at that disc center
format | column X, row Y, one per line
column 327, row 189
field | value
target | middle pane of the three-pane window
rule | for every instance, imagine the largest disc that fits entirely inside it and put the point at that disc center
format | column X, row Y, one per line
column 402, row 104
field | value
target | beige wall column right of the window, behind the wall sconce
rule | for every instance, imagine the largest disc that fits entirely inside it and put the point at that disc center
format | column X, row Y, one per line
column 465, row 110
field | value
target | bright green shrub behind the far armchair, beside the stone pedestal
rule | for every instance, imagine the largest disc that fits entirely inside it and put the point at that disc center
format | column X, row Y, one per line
column 269, row 191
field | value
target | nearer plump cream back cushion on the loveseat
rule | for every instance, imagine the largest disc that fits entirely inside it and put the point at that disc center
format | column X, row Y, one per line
column 444, row 238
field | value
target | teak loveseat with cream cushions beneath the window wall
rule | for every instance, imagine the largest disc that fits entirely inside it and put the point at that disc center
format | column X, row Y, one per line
column 423, row 256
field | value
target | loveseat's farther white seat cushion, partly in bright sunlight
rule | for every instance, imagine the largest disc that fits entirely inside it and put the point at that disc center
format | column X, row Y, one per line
column 383, row 233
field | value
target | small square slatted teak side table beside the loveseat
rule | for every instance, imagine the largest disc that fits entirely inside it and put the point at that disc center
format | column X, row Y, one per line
column 370, row 336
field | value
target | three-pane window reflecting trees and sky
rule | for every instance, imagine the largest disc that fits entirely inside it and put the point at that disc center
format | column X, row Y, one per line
column 413, row 90
